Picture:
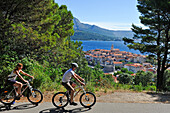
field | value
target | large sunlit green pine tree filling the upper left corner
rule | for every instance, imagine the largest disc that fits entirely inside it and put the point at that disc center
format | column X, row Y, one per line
column 33, row 27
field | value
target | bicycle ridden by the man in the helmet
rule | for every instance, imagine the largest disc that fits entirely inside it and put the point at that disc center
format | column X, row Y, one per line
column 61, row 99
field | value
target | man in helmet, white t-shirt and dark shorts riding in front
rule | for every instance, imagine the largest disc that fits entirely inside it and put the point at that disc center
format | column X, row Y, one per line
column 69, row 85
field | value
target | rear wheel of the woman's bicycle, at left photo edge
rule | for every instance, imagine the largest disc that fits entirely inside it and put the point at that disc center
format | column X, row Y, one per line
column 7, row 96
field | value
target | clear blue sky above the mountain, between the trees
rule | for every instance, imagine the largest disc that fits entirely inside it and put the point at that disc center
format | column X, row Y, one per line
column 109, row 14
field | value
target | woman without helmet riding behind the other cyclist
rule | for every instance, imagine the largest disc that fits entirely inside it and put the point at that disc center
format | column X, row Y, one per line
column 12, row 78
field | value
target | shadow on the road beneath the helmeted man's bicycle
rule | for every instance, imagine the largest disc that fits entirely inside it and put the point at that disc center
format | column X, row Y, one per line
column 56, row 110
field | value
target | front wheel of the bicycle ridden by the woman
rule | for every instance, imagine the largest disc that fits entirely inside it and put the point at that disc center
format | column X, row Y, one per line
column 35, row 97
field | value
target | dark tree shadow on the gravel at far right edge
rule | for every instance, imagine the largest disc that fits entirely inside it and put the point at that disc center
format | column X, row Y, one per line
column 164, row 98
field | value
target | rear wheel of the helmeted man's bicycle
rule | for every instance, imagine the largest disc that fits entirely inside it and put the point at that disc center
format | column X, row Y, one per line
column 60, row 99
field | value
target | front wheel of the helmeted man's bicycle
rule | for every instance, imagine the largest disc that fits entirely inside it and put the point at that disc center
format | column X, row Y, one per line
column 87, row 99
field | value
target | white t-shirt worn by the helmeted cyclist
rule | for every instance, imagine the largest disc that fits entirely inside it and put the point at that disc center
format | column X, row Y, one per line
column 67, row 75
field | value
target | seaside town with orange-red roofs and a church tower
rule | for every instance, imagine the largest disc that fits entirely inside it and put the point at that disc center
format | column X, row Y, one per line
column 109, row 59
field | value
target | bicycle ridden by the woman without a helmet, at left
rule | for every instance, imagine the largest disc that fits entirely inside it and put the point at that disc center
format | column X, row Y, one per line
column 8, row 95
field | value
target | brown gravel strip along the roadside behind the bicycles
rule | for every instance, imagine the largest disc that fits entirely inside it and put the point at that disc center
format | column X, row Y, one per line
column 118, row 97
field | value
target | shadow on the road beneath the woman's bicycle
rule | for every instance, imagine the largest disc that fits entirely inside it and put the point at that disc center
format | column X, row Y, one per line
column 18, row 107
